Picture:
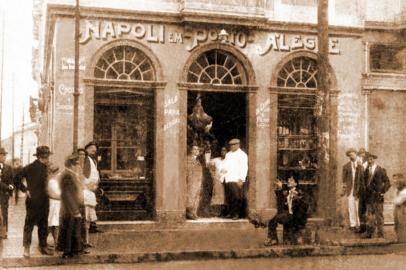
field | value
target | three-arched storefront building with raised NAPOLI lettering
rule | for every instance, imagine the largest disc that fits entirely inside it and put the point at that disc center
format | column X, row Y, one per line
column 143, row 68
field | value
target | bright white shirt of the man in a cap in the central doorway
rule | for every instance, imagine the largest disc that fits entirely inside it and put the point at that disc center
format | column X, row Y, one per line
column 236, row 164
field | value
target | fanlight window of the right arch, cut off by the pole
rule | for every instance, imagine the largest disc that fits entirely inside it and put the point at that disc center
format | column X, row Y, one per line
column 299, row 73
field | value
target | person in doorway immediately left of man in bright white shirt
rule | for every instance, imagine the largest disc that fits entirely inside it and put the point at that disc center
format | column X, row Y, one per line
column 218, row 171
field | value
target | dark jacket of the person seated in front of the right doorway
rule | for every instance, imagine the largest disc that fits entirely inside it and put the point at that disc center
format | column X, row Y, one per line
column 299, row 207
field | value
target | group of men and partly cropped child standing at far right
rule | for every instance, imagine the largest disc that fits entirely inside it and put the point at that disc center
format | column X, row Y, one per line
column 365, row 184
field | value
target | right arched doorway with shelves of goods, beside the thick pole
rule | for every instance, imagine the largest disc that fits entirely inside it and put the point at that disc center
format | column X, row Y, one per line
column 296, row 84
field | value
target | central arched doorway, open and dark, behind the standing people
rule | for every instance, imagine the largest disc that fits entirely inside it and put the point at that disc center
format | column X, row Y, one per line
column 217, row 77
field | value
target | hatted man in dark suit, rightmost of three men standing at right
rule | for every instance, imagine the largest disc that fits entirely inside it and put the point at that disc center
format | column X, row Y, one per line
column 374, row 185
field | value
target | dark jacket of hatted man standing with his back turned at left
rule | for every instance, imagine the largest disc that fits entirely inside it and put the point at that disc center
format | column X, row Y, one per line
column 36, row 175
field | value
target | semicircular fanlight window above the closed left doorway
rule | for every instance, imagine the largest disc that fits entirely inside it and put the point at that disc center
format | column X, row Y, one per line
column 125, row 63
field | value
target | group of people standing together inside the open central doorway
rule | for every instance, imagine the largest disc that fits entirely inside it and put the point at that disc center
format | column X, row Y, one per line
column 228, row 172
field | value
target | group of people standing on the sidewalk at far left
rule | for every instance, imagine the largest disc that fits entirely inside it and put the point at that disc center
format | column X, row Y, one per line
column 58, row 203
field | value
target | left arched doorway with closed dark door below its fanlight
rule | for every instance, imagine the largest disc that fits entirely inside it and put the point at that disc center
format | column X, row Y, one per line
column 124, row 130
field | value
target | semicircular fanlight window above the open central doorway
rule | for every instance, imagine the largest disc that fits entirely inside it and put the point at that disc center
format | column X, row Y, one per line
column 216, row 67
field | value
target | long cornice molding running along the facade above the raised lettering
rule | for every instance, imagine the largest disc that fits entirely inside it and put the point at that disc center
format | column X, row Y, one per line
column 254, row 21
